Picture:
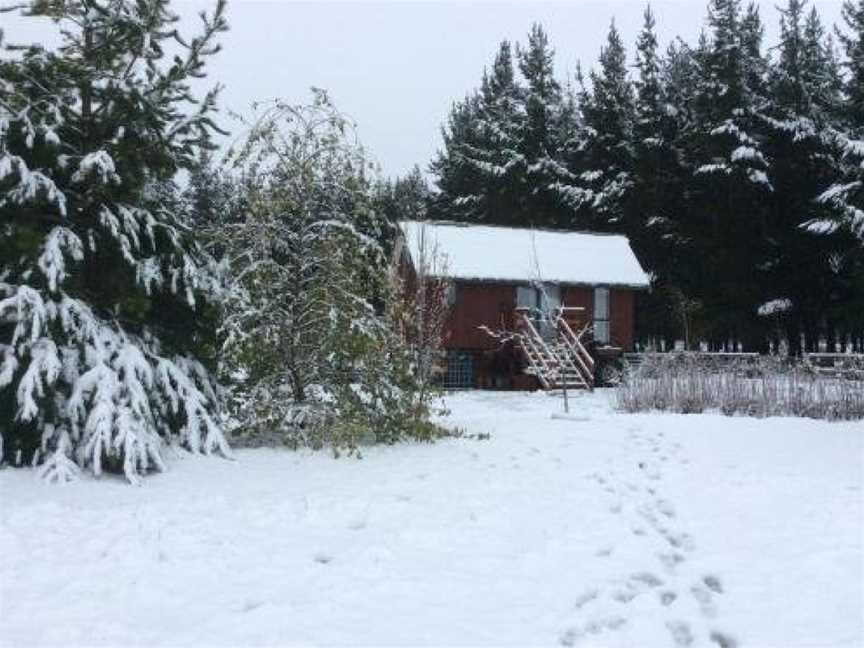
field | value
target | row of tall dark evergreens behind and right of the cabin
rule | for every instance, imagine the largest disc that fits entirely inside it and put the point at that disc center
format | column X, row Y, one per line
column 737, row 171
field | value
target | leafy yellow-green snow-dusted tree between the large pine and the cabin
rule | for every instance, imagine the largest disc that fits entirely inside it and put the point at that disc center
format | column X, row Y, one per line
column 306, row 329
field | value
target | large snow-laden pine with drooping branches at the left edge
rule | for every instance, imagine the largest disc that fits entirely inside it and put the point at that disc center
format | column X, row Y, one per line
column 103, row 292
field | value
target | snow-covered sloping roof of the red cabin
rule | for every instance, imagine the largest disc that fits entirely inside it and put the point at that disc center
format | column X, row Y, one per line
column 483, row 252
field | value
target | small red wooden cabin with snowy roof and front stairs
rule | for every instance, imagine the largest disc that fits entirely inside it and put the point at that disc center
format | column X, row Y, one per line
column 500, row 278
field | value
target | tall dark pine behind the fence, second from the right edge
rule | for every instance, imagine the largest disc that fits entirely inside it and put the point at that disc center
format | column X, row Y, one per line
column 798, row 123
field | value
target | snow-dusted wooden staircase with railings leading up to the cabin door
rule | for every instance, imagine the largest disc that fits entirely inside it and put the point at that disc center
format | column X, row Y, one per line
column 560, row 360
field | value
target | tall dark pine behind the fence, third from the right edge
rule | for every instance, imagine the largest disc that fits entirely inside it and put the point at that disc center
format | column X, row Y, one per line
column 730, row 183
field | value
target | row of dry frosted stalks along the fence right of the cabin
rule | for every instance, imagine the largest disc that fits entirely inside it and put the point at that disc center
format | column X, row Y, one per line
column 759, row 386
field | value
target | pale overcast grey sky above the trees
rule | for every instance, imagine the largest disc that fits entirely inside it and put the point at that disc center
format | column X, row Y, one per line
column 396, row 67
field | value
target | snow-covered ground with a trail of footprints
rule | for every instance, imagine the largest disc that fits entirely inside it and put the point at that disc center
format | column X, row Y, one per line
column 615, row 530
